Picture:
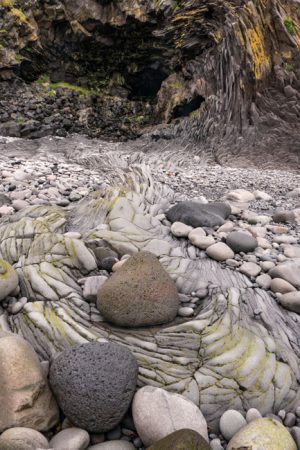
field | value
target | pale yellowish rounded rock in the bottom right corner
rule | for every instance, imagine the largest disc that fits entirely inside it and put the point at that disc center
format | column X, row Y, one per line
column 267, row 434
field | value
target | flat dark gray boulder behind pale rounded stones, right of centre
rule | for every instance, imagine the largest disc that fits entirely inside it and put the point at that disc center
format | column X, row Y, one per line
column 198, row 214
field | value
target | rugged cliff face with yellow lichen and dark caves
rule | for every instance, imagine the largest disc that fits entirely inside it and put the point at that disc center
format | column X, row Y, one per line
column 224, row 74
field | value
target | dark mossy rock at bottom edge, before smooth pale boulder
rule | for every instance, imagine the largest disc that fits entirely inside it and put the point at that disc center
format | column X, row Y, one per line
column 181, row 440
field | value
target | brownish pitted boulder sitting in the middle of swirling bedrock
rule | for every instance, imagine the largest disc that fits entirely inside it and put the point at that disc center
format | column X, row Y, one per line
column 140, row 293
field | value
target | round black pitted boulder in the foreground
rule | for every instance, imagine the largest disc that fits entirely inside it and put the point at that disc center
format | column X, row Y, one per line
column 94, row 384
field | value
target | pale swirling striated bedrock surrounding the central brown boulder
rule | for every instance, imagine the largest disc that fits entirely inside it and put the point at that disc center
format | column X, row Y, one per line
column 227, row 356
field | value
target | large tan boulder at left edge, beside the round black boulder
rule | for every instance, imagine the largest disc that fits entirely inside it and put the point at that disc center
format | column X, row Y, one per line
column 25, row 397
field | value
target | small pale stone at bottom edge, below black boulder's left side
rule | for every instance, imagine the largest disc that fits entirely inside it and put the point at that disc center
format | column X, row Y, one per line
column 70, row 439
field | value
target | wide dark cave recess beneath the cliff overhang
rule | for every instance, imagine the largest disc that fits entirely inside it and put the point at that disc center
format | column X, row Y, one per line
column 128, row 60
